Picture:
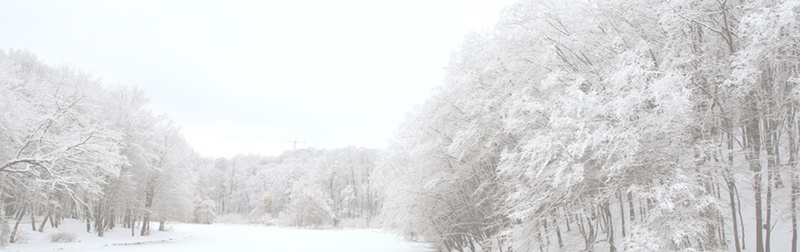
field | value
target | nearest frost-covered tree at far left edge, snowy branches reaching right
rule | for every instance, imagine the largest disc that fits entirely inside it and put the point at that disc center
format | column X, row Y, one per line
column 56, row 147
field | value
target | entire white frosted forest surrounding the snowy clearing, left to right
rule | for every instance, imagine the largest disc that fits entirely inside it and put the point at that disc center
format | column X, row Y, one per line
column 584, row 125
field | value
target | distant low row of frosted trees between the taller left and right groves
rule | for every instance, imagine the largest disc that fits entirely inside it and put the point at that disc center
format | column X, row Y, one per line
column 299, row 188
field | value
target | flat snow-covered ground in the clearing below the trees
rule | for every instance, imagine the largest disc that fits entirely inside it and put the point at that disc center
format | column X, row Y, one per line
column 193, row 237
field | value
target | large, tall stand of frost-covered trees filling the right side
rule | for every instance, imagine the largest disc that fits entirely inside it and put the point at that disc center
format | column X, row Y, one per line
column 642, row 125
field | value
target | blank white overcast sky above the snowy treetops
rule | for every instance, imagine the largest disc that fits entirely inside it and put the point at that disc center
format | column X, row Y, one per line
column 246, row 77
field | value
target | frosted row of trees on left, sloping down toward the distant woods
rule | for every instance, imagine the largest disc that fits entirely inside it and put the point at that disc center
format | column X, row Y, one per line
column 65, row 154
